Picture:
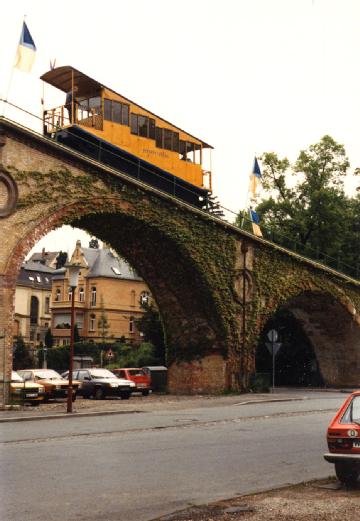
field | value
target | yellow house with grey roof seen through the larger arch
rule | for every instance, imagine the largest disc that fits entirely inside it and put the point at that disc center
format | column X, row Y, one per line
column 108, row 288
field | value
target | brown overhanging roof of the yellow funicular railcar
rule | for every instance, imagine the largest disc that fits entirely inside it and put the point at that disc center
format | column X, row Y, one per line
column 61, row 78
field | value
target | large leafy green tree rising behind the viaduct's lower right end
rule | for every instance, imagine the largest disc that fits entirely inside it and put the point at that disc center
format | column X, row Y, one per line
column 306, row 203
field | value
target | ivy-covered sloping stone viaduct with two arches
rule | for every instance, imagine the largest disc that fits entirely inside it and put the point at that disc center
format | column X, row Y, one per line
column 215, row 285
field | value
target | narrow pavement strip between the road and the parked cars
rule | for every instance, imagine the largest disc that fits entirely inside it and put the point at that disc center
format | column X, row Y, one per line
column 139, row 403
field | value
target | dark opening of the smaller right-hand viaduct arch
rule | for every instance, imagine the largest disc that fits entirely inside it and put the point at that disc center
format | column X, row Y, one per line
column 296, row 363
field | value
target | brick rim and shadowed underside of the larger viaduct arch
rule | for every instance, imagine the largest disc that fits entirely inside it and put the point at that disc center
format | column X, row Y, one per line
column 182, row 283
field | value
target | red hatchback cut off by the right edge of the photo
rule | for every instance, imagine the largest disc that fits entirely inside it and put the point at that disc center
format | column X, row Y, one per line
column 343, row 438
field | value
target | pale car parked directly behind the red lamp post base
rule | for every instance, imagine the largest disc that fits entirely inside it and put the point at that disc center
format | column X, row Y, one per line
column 55, row 385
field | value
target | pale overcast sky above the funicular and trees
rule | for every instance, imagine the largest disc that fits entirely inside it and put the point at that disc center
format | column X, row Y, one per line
column 246, row 76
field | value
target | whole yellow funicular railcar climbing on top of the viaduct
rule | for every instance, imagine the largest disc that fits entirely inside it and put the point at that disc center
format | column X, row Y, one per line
column 109, row 127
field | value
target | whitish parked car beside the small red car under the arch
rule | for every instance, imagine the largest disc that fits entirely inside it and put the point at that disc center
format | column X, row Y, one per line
column 100, row 383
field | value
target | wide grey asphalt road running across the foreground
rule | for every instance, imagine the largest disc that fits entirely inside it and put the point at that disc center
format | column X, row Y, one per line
column 134, row 467
